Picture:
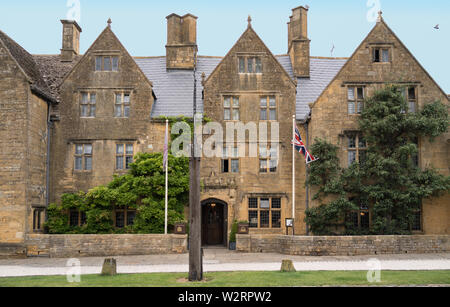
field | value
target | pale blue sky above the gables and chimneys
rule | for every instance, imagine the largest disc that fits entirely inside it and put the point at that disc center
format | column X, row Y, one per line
column 141, row 25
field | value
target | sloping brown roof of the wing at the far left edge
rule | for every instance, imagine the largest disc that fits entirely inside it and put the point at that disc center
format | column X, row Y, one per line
column 27, row 64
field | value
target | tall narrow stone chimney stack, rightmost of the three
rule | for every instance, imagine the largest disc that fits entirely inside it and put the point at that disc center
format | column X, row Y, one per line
column 298, row 42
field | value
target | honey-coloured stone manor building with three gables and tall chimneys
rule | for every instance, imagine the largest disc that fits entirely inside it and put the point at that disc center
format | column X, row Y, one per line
column 69, row 122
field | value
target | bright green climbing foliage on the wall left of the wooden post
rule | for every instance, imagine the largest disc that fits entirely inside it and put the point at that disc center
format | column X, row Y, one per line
column 143, row 189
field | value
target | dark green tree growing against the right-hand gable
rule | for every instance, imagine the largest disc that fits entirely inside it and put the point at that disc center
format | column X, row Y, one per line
column 388, row 180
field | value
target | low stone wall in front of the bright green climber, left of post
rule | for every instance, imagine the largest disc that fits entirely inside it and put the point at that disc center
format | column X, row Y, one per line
column 68, row 246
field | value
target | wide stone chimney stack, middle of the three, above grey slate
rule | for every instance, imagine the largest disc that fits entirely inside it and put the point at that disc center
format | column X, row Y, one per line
column 181, row 48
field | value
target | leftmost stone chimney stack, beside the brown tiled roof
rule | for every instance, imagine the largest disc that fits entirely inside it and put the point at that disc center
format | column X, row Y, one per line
column 71, row 40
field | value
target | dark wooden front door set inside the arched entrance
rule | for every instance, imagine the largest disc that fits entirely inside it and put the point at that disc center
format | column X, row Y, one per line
column 212, row 224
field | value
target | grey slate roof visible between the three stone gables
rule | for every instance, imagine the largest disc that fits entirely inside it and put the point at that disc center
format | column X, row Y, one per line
column 175, row 89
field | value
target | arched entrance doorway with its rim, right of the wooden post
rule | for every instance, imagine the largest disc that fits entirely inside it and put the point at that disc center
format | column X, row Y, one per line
column 214, row 222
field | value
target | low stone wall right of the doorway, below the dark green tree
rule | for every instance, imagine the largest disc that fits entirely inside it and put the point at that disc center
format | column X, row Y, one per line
column 343, row 246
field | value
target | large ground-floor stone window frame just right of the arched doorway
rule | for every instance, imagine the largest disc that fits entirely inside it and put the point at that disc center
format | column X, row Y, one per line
column 255, row 207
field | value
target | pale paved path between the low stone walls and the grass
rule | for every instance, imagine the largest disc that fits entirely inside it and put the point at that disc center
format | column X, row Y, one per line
column 216, row 259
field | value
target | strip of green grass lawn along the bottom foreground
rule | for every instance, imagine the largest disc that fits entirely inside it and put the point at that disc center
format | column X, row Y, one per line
column 236, row 279
